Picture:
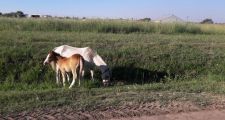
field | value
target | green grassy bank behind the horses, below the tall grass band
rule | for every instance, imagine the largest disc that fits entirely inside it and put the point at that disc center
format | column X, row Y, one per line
column 133, row 58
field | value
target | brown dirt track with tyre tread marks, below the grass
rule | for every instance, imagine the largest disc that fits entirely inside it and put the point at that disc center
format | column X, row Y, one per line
column 153, row 111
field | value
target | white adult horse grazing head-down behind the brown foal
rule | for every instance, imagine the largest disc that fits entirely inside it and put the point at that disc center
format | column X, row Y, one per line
column 91, row 58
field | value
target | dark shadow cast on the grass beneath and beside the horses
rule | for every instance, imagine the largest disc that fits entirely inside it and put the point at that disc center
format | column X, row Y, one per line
column 125, row 75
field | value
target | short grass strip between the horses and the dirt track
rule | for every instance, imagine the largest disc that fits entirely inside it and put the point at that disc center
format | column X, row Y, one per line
column 90, row 99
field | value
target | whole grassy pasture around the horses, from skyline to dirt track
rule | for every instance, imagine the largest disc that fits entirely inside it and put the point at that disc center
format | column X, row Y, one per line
column 146, row 58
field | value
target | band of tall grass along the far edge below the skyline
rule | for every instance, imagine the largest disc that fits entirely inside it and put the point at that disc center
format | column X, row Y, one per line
column 106, row 26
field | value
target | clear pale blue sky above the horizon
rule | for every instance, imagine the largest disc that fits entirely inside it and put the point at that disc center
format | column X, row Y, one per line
column 195, row 10
